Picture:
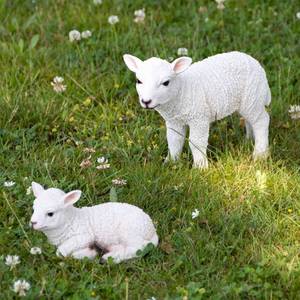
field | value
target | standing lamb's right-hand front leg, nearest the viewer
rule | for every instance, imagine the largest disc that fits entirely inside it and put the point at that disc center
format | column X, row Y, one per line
column 199, row 131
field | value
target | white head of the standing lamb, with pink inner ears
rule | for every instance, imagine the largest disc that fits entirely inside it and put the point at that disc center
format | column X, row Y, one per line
column 156, row 78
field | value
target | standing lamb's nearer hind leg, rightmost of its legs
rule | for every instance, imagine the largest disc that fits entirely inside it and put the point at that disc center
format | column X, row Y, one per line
column 261, row 135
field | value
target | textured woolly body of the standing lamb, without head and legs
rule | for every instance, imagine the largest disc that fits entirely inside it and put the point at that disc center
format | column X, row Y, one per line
column 218, row 86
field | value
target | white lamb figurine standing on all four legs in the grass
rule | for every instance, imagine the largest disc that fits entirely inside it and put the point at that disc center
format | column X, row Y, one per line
column 198, row 94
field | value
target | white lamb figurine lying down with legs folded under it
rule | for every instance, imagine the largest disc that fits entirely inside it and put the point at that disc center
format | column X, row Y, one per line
column 119, row 229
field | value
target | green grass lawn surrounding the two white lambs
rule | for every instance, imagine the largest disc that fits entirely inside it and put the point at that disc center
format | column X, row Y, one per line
column 245, row 242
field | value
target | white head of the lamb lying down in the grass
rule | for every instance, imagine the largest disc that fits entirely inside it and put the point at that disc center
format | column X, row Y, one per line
column 50, row 207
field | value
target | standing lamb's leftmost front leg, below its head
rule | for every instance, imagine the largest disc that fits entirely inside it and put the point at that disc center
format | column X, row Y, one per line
column 175, row 136
